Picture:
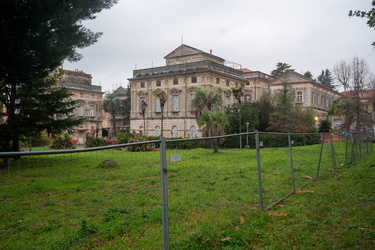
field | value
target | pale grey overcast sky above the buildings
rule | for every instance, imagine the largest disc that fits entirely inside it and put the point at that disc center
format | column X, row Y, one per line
column 310, row 35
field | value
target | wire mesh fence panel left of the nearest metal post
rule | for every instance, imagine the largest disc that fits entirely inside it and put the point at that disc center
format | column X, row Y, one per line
column 70, row 201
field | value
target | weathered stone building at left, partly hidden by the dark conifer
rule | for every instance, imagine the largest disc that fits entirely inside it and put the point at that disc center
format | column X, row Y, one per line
column 89, row 103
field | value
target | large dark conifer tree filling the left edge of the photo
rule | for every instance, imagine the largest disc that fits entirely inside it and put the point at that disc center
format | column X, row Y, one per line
column 36, row 37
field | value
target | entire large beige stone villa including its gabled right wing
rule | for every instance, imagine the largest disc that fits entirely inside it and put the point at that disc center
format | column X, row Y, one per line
column 189, row 69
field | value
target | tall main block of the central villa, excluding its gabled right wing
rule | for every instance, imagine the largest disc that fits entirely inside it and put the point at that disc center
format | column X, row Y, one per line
column 187, row 70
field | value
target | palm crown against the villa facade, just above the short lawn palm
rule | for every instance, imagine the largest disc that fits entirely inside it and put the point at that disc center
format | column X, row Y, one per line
column 206, row 100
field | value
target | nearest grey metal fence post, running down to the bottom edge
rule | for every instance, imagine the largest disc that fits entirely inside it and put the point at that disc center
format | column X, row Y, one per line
column 164, row 193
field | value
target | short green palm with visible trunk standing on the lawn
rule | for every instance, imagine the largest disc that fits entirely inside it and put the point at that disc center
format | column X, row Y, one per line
column 214, row 124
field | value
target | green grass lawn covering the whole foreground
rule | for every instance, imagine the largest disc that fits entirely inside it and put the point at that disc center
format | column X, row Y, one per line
column 66, row 201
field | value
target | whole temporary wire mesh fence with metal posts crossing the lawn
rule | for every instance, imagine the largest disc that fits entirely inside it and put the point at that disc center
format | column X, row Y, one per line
column 160, row 193
